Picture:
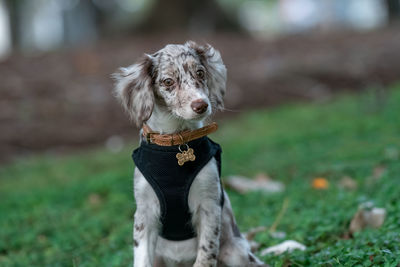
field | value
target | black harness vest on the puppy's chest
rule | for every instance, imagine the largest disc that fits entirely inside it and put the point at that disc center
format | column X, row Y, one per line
column 172, row 182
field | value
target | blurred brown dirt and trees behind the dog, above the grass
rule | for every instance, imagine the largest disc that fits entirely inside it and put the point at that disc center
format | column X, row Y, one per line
column 56, row 57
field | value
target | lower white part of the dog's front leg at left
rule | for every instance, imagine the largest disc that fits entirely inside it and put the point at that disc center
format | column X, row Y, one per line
column 145, row 238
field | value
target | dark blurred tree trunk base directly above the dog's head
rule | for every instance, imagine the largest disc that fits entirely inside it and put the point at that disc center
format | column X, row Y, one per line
column 188, row 15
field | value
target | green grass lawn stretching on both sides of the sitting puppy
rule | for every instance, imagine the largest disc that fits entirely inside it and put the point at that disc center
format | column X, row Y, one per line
column 77, row 210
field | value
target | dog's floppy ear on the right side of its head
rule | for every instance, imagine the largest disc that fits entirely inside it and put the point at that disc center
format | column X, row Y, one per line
column 216, row 72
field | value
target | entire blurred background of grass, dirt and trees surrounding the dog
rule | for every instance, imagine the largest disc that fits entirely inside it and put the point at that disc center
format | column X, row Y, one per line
column 333, row 155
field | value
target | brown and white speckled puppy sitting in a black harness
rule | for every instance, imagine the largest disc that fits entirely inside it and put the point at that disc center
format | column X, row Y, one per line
column 174, row 91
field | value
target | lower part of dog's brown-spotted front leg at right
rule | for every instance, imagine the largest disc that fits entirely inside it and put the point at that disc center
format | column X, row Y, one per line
column 208, row 229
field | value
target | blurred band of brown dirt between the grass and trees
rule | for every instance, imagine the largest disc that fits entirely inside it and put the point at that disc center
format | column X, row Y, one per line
column 63, row 99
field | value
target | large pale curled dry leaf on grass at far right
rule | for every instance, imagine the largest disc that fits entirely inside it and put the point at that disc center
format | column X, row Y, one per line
column 367, row 216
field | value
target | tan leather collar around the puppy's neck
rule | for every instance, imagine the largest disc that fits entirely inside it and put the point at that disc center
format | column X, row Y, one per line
column 177, row 138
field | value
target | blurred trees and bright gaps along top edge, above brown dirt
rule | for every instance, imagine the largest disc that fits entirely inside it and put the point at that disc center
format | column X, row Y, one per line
column 48, row 24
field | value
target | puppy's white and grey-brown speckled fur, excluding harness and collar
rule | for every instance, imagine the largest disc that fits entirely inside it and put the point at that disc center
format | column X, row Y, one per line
column 160, row 90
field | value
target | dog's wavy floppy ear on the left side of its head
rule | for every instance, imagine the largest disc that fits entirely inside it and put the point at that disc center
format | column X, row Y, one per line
column 134, row 89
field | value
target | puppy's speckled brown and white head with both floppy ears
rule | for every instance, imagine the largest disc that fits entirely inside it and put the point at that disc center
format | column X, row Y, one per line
column 188, row 80
